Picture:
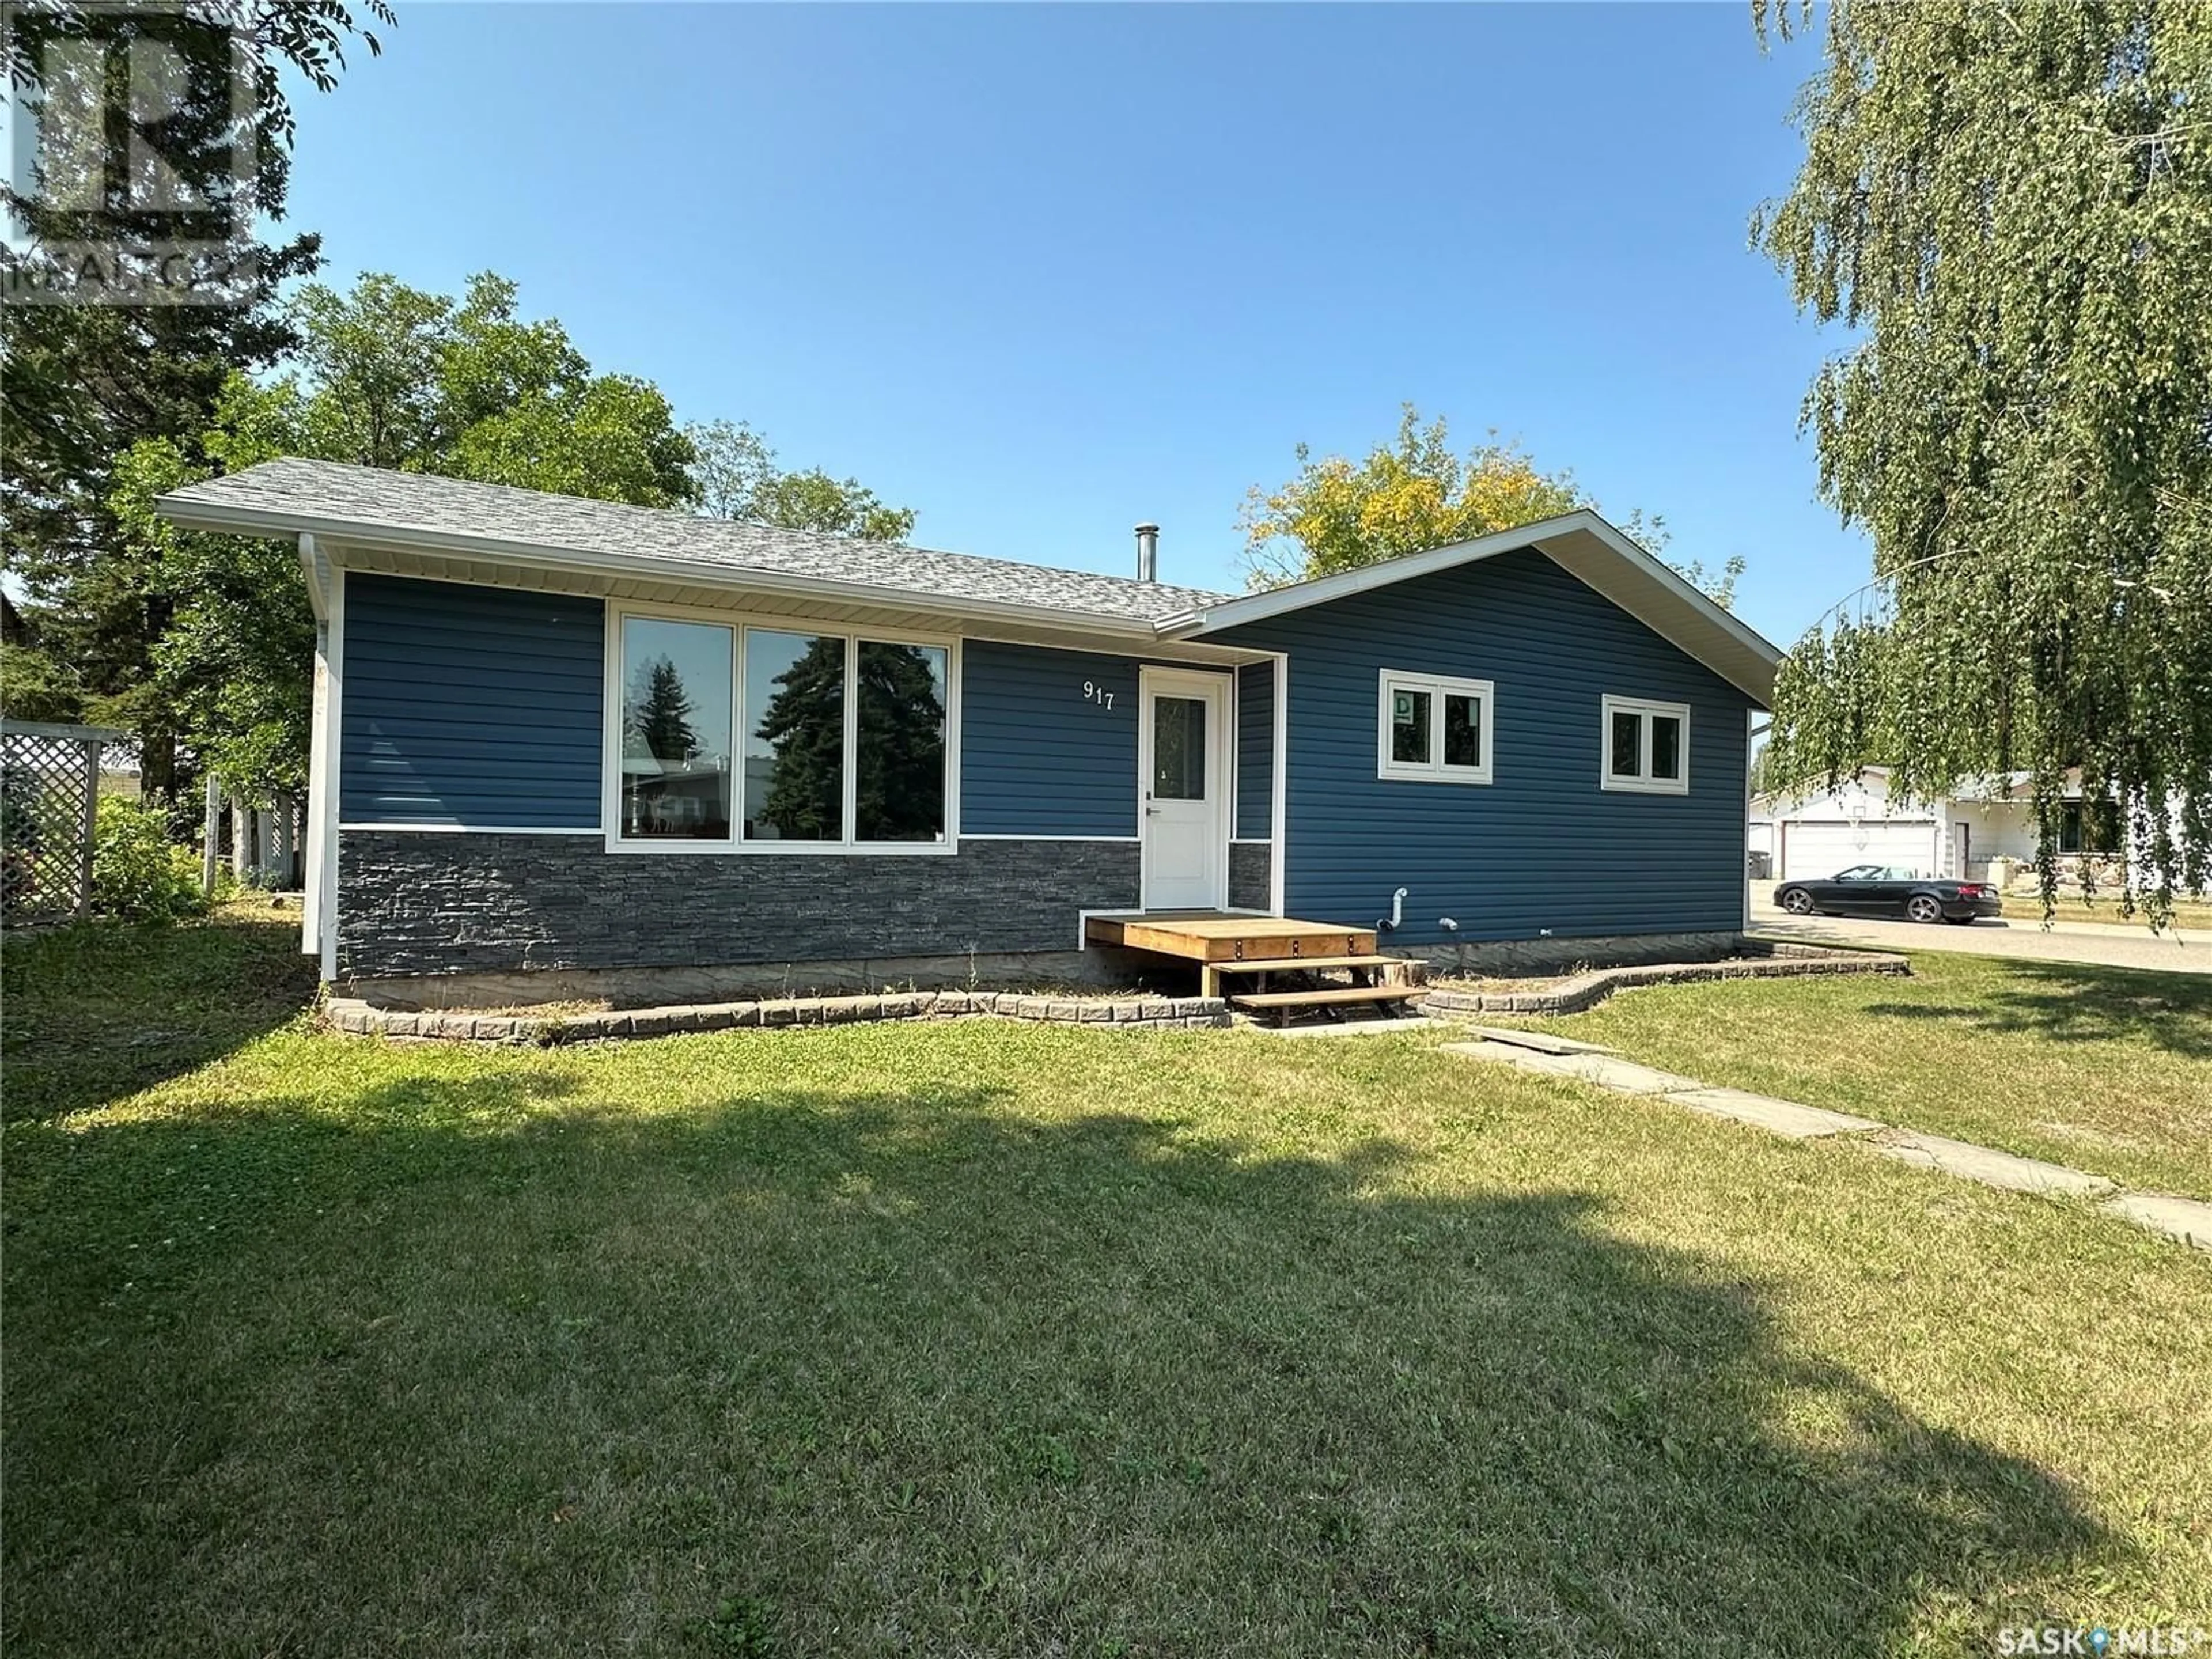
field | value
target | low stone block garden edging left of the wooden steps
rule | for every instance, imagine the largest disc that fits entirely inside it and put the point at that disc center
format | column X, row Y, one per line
column 1112, row 1014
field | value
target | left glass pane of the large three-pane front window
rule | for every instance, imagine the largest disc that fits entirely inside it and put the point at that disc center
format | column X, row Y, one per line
column 676, row 731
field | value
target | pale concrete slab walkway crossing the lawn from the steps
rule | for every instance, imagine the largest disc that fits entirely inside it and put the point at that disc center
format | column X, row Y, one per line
column 2187, row 1220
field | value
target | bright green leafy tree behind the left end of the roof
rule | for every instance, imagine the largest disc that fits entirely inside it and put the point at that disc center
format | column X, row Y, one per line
column 386, row 377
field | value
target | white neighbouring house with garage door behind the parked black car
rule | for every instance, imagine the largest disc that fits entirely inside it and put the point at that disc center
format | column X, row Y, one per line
column 1817, row 835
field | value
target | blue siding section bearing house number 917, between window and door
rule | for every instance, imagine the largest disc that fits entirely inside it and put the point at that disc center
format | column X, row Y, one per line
column 1036, row 755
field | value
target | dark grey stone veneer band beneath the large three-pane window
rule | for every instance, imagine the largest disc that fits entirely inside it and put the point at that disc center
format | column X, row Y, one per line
column 501, row 904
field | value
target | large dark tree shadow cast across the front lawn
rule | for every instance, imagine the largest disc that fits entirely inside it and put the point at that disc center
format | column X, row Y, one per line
column 488, row 1364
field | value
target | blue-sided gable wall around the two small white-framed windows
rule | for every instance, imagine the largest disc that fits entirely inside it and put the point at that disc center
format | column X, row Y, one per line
column 1543, row 846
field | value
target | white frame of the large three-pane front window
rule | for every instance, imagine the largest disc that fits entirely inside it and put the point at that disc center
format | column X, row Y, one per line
column 740, row 627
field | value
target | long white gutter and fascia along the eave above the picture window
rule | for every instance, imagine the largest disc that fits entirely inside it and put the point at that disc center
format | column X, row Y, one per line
column 249, row 521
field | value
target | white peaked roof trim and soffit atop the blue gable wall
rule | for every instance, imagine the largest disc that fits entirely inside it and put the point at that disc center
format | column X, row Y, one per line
column 1583, row 545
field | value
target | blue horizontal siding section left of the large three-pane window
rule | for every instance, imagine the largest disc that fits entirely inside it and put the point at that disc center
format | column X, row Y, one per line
column 470, row 707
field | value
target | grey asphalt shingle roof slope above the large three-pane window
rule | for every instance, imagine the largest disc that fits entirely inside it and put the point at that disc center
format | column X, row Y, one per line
column 375, row 499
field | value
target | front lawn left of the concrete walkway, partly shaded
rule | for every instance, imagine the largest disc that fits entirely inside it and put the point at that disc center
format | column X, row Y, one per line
column 992, row 1339
